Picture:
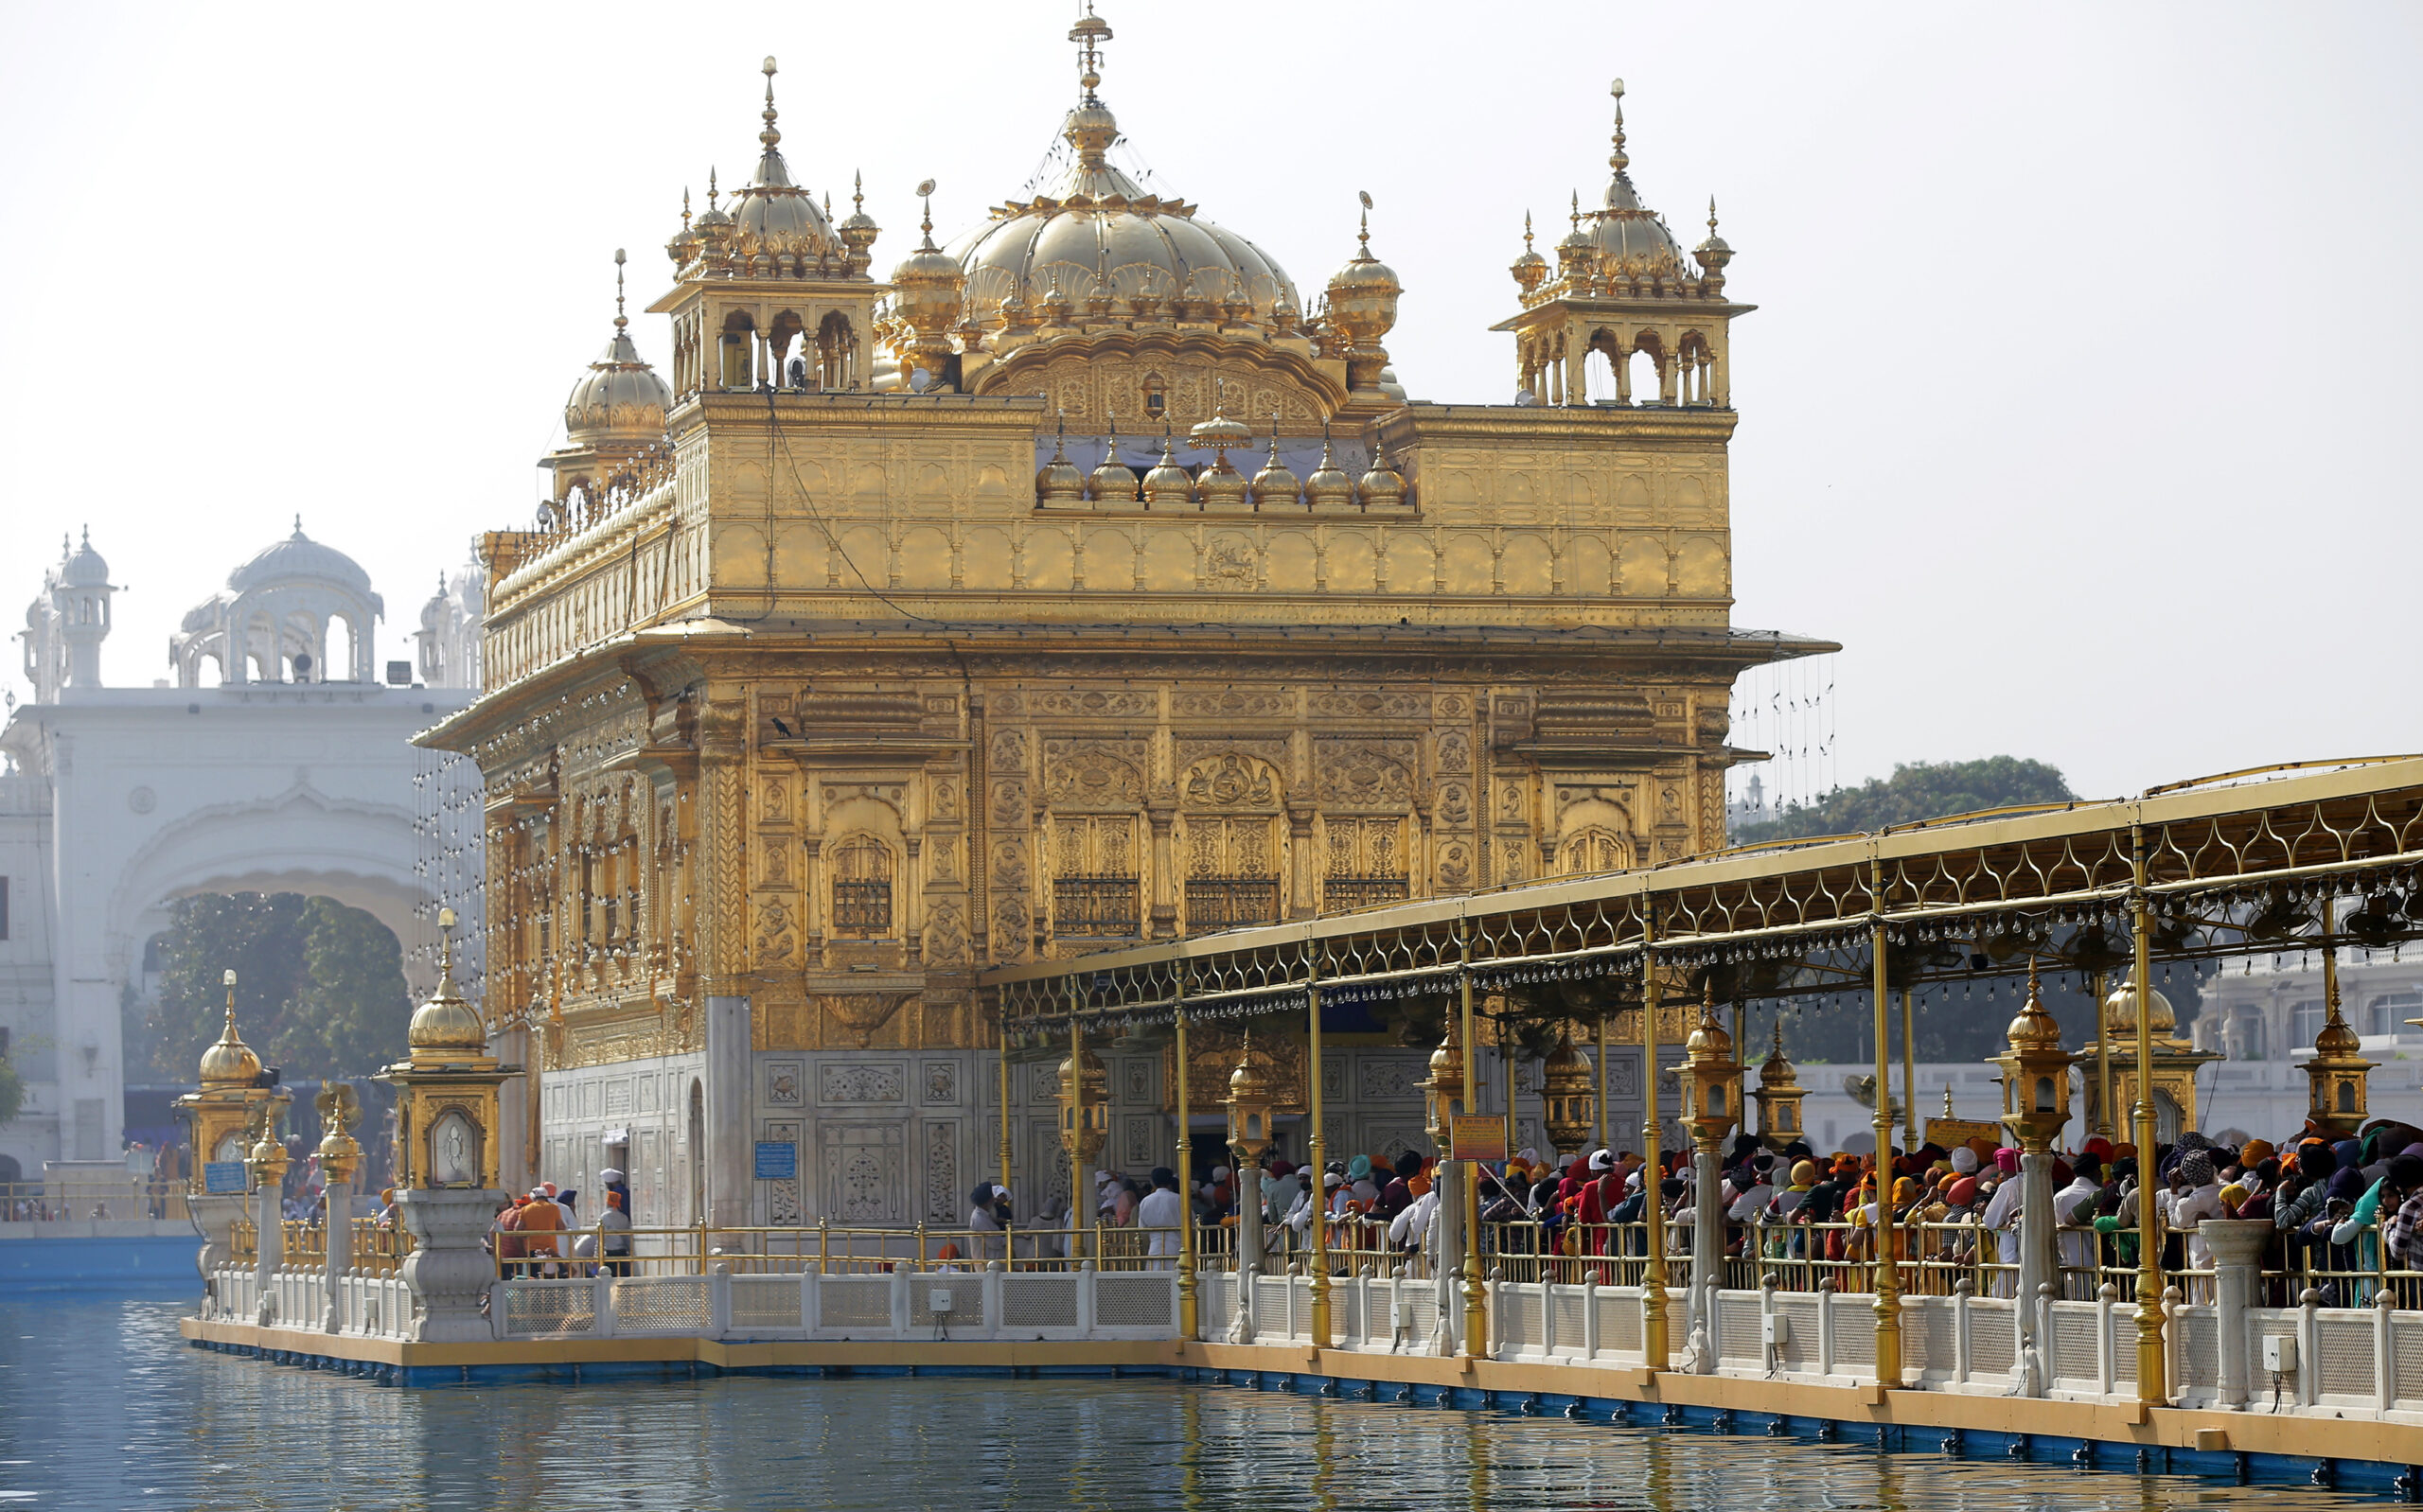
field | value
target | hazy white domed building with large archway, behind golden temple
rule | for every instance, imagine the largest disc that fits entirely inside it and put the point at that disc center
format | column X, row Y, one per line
column 273, row 762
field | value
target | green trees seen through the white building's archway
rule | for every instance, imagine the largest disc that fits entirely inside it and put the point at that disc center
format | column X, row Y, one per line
column 319, row 987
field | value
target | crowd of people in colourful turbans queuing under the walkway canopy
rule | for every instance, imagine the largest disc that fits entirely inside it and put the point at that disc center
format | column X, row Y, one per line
column 2342, row 1205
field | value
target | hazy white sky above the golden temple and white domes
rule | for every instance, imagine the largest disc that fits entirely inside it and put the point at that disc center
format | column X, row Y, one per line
column 2073, row 406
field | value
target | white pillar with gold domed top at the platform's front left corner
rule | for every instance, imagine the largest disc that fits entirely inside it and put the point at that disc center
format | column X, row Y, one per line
column 447, row 1184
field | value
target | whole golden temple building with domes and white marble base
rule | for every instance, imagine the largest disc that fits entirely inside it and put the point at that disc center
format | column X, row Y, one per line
column 939, row 629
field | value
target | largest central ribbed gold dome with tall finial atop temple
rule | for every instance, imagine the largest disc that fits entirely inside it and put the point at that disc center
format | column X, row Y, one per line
column 1096, row 224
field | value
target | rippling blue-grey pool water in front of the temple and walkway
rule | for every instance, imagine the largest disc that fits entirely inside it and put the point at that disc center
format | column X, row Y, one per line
column 103, row 1404
